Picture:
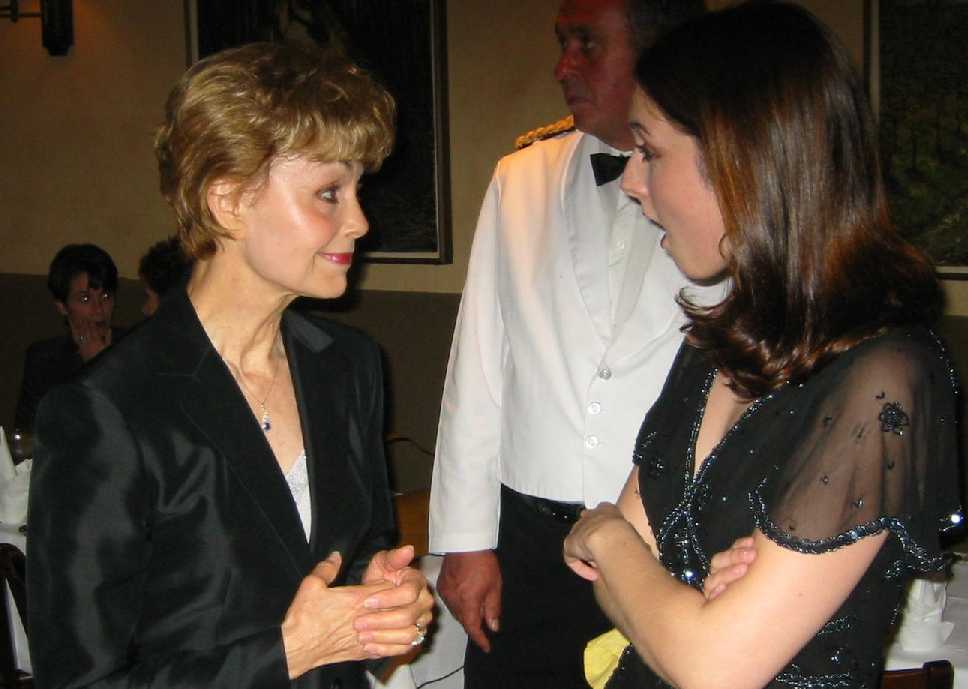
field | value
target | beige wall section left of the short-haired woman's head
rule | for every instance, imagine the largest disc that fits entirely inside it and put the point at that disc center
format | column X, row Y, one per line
column 76, row 145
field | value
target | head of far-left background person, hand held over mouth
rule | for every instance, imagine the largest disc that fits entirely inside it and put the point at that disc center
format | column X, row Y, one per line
column 83, row 281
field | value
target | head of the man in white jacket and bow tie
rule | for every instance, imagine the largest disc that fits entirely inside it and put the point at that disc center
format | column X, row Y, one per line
column 600, row 41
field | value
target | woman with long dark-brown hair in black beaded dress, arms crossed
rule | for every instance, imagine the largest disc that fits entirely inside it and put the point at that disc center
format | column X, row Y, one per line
column 812, row 407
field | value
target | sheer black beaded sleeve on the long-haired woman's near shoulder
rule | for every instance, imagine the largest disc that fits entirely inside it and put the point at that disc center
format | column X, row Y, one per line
column 876, row 449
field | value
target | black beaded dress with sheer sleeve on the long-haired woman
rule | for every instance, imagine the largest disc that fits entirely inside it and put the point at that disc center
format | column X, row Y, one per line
column 867, row 443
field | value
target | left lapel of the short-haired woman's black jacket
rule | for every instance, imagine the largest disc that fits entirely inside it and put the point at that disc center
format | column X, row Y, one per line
column 212, row 401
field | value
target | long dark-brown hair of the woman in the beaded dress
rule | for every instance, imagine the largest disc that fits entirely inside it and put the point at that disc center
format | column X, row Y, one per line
column 789, row 145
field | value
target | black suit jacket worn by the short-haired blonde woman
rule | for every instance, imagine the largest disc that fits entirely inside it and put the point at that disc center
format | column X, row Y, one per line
column 164, row 545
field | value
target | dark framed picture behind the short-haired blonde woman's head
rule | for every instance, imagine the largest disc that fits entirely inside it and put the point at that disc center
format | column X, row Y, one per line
column 403, row 43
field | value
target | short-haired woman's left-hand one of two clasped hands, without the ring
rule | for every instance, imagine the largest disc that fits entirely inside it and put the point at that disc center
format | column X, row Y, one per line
column 318, row 627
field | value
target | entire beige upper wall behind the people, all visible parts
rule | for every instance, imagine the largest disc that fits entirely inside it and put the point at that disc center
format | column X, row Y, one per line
column 76, row 144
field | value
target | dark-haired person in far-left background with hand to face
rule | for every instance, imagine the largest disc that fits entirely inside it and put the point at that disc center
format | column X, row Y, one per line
column 83, row 281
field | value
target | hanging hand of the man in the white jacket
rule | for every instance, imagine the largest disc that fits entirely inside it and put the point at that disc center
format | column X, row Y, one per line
column 470, row 584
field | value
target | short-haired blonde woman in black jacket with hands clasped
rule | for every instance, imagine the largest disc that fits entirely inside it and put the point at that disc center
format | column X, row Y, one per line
column 209, row 503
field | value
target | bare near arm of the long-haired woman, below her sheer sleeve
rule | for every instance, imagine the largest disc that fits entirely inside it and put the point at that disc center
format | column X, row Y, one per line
column 693, row 642
